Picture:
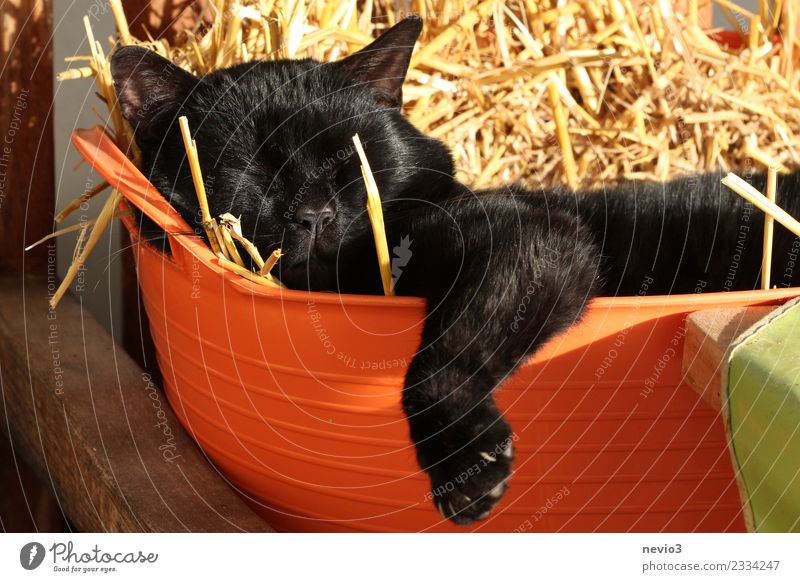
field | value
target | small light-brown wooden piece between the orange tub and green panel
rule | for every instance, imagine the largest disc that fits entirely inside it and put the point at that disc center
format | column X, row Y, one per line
column 709, row 333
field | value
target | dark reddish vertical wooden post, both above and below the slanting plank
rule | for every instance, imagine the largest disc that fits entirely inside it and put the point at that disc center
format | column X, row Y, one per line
column 27, row 198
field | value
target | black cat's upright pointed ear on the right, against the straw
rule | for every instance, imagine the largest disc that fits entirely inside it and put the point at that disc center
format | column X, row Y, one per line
column 382, row 64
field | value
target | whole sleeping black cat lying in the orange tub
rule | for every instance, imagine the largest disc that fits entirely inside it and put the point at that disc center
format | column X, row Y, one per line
column 275, row 148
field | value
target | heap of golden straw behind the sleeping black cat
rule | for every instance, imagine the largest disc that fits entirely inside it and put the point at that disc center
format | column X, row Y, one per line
column 482, row 55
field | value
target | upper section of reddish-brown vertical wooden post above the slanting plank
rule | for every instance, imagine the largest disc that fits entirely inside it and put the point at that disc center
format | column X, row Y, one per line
column 27, row 181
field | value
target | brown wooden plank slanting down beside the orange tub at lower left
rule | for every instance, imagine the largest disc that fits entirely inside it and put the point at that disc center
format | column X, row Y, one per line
column 92, row 424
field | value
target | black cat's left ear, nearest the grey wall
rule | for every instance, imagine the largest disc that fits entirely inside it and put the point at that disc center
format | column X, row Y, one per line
column 148, row 84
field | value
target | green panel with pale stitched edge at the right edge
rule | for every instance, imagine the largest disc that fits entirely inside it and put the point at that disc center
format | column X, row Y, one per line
column 763, row 389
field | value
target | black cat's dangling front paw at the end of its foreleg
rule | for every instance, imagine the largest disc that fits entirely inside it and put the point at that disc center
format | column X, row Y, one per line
column 467, row 484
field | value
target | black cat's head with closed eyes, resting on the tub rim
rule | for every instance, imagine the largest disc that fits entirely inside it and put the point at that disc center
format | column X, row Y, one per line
column 275, row 145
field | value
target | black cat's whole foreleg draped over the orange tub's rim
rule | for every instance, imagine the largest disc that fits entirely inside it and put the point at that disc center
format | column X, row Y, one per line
column 501, row 276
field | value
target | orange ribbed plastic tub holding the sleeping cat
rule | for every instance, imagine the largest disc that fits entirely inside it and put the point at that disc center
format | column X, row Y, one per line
column 295, row 396
